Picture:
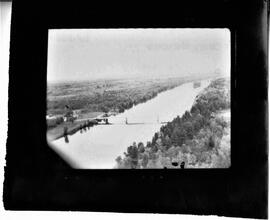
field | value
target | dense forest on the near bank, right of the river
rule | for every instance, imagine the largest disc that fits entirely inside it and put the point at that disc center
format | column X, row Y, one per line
column 199, row 139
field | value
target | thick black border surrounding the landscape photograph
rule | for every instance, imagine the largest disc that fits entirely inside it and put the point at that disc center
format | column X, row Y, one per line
column 36, row 178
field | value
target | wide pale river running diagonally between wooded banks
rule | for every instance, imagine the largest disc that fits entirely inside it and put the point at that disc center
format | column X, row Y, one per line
column 98, row 147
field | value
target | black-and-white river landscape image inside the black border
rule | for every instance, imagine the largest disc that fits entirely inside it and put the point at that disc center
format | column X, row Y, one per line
column 139, row 98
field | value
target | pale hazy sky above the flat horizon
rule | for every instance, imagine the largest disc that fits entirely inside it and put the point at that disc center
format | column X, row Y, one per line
column 85, row 54
